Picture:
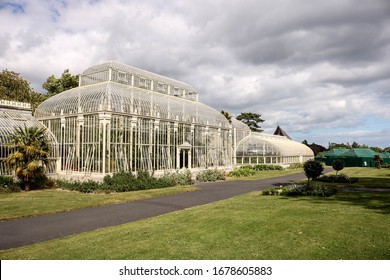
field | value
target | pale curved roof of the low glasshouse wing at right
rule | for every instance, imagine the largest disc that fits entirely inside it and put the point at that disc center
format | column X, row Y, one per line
column 260, row 144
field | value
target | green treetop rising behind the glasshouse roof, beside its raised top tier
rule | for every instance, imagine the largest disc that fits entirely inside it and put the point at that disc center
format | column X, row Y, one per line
column 55, row 85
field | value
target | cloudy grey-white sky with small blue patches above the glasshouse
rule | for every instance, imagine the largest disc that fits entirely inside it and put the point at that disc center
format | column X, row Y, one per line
column 319, row 69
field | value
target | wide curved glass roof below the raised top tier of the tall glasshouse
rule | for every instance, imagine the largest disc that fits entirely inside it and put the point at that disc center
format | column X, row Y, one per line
column 126, row 99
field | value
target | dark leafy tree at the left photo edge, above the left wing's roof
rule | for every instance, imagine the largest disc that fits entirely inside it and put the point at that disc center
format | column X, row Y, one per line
column 15, row 88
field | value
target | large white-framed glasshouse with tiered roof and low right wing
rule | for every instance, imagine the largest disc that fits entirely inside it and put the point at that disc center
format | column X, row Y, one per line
column 122, row 118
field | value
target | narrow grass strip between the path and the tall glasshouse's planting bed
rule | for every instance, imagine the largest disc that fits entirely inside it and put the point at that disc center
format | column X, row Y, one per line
column 34, row 203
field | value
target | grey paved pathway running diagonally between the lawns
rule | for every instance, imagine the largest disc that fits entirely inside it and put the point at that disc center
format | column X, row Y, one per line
column 26, row 231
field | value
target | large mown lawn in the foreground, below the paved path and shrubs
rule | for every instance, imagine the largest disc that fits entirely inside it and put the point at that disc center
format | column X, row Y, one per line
column 250, row 226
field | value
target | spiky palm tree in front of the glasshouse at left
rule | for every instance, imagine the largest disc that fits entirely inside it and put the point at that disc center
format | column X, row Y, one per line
column 30, row 156
